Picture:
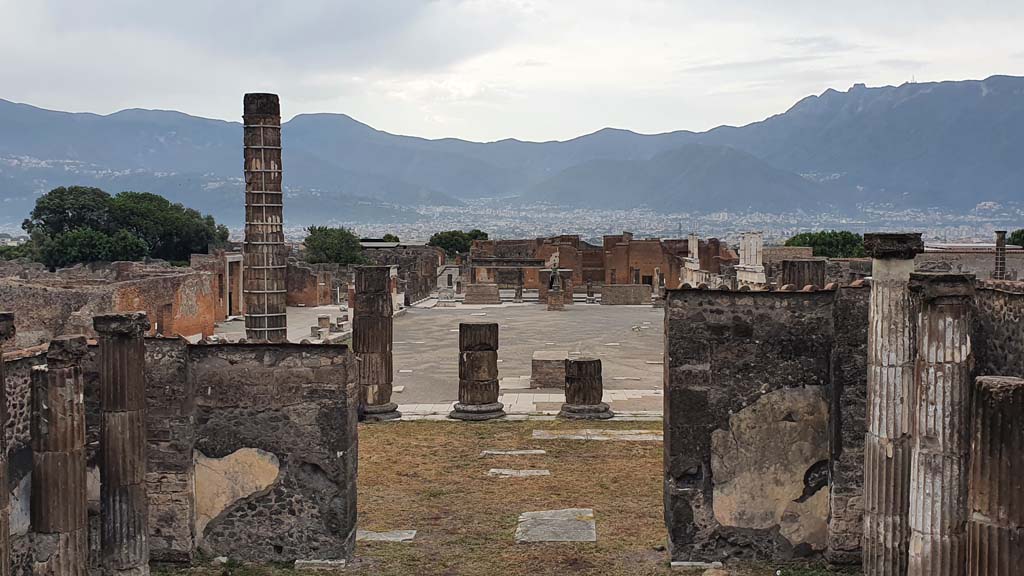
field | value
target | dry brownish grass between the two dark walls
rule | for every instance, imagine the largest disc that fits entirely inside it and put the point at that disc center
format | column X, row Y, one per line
column 430, row 477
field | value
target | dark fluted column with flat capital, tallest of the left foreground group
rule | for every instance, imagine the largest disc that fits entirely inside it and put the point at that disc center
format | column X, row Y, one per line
column 124, row 546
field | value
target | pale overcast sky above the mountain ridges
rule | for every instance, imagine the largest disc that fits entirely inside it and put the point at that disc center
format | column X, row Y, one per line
column 494, row 69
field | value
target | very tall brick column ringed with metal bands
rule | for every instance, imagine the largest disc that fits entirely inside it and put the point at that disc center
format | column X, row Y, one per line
column 265, row 253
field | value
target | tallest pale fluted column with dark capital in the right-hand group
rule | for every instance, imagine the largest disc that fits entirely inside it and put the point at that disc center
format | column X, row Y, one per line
column 891, row 349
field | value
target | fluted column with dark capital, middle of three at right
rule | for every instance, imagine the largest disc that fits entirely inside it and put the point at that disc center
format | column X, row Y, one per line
column 942, row 432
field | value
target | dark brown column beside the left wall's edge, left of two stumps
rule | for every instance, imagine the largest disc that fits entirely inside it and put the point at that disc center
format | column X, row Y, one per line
column 372, row 342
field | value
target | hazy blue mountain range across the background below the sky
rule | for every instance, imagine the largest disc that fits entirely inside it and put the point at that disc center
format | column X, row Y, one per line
column 945, row 145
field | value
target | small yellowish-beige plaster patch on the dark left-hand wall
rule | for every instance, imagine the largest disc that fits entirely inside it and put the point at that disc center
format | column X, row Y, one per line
column 223, row 482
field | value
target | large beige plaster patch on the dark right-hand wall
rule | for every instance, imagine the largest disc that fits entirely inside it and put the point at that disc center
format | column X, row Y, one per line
column 770, row 469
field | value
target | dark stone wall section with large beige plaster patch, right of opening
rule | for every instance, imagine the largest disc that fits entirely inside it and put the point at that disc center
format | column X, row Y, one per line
column 747, row 424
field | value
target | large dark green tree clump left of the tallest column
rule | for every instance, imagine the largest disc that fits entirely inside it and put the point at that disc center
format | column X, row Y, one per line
column 86, row 225
